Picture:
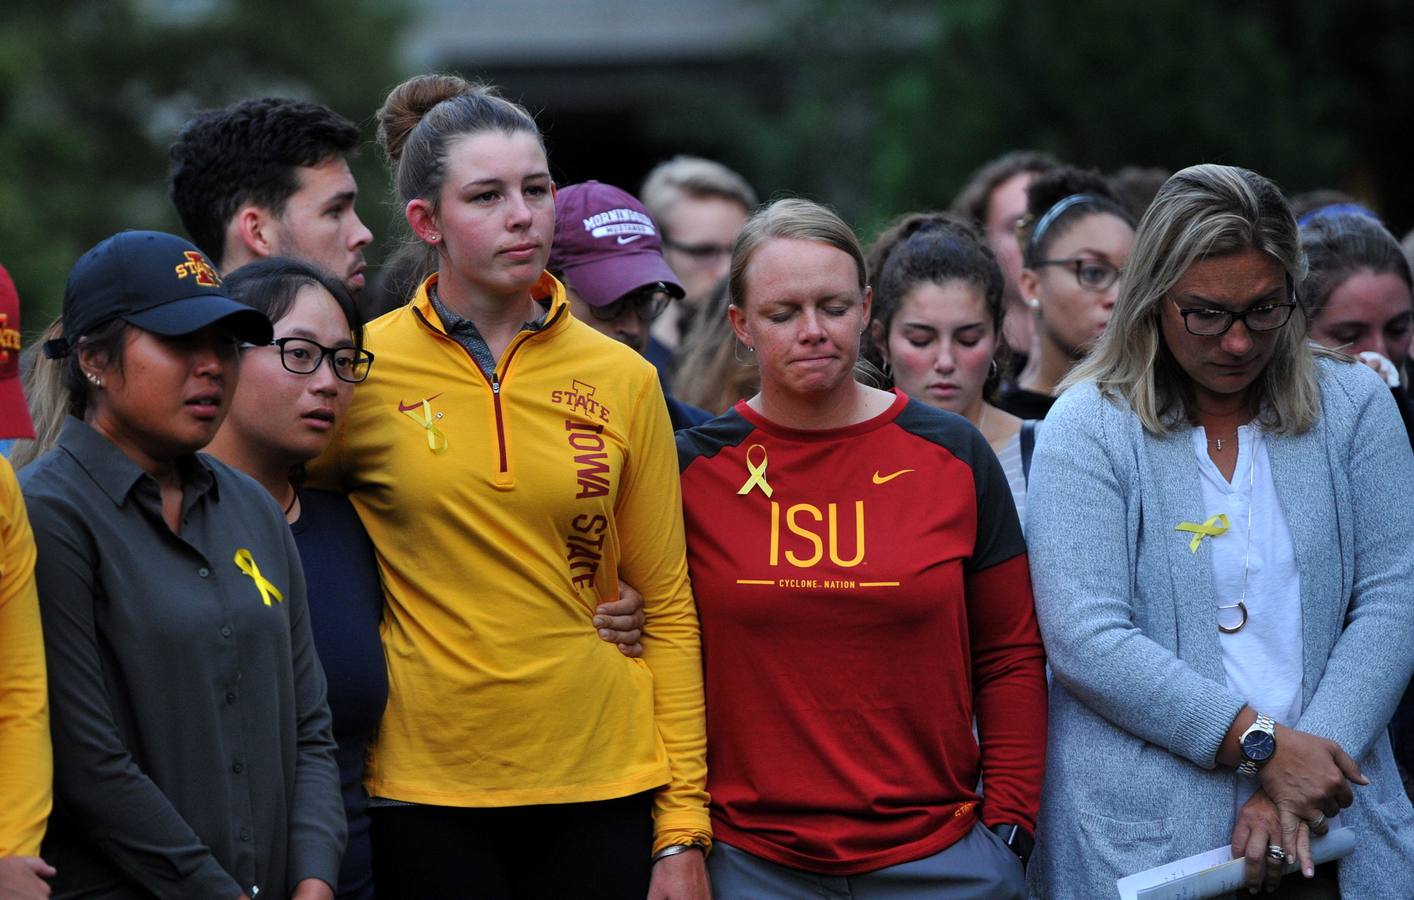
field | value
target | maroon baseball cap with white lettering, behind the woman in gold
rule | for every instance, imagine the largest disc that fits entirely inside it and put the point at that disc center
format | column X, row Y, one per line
column 606, row 244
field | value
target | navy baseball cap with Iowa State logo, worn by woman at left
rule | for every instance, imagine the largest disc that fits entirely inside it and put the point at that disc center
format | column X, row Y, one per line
column 158, row 282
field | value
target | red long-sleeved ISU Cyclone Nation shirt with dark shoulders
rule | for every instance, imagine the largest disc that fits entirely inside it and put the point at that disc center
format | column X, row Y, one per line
column 863, row 596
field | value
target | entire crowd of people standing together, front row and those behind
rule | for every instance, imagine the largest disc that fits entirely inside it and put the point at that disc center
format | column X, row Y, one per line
column 679, row 546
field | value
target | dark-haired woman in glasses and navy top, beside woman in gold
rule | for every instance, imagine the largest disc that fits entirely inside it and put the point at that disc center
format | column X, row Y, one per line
column 292, row 398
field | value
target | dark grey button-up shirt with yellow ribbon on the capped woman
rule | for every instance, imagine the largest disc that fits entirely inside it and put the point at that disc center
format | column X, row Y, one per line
column 193, row 751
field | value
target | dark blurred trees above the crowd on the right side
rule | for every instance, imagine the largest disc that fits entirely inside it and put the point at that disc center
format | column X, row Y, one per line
column 880, row 108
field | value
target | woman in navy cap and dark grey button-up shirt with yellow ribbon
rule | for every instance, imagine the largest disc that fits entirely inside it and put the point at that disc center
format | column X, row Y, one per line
column 193, row 745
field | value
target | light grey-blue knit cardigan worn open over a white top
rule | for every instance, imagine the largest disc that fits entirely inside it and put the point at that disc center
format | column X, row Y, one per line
column 1140, row 701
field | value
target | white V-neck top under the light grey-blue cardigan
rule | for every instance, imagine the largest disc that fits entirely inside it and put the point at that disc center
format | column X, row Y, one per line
column 1263, row 660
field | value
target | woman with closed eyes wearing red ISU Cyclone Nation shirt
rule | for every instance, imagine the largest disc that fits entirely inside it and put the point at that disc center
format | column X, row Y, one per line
column 863, row 591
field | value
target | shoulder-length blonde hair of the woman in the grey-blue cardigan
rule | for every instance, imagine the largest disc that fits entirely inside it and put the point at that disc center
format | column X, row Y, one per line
column 1201, row 213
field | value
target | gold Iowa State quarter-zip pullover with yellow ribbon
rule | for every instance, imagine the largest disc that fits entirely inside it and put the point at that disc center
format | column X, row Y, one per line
column 504, row 507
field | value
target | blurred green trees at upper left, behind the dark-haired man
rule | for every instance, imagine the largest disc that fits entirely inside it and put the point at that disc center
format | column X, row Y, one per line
column 93, row 93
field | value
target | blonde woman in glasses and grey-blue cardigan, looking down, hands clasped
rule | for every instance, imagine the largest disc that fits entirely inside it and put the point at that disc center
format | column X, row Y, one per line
column 1218, row 519
